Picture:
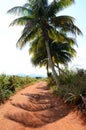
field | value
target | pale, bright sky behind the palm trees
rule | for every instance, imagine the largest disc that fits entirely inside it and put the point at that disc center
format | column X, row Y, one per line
column 15, row 61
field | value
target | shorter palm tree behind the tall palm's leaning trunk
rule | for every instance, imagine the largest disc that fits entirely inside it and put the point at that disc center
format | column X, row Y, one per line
column 61, row 53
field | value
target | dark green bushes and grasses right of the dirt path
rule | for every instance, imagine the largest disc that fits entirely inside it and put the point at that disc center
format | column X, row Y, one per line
column 72, row 87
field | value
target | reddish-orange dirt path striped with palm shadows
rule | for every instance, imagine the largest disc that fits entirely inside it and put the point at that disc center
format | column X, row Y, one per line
column 36, row 108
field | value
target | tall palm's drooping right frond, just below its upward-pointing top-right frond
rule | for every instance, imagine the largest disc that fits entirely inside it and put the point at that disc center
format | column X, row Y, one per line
column 66, row 24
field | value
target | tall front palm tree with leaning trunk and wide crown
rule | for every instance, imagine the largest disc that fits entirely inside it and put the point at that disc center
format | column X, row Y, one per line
column 39, row 18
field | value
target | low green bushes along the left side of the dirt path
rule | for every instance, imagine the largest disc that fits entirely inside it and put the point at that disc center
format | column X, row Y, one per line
column 10, row 84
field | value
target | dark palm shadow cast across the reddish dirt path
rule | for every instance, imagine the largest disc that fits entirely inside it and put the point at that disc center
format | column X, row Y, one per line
column 40, row 110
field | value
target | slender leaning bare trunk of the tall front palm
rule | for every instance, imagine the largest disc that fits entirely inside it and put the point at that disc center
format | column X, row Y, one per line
column 50, row 62
